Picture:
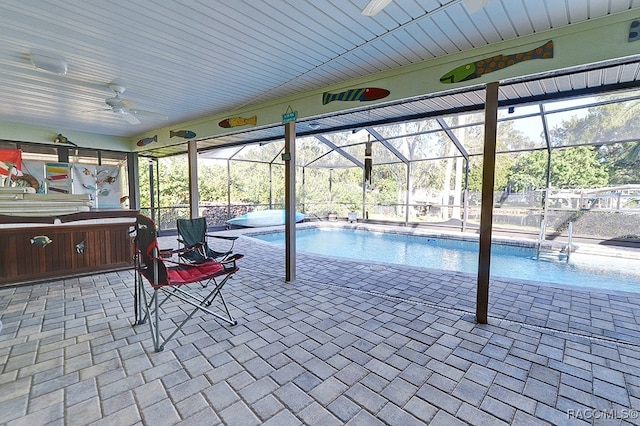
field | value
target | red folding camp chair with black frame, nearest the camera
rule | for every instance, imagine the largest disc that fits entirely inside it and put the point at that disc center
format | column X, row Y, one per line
column 169, row 279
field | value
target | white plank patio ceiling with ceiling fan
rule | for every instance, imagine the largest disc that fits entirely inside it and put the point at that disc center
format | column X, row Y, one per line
column 191, row 58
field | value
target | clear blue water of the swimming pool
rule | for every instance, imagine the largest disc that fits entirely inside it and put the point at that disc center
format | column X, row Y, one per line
column 508, row 261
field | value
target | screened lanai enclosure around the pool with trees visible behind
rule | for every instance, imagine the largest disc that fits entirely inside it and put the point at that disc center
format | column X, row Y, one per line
column 561, row 165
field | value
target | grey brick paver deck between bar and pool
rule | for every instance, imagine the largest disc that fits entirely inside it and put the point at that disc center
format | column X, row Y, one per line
column 346, row 343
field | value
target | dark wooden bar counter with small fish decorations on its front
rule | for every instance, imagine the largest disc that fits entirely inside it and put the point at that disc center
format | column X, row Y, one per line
column 43, row 248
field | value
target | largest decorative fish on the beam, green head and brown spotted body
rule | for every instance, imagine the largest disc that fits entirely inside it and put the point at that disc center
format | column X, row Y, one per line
column 485, row 66
